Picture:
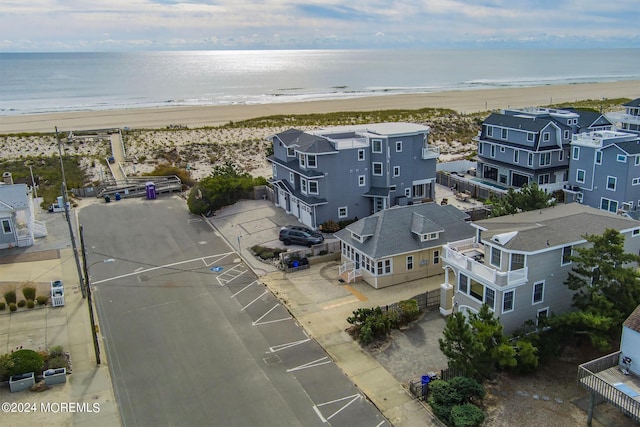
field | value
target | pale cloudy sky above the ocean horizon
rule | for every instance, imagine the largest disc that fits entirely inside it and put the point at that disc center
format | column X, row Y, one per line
column 128, row 25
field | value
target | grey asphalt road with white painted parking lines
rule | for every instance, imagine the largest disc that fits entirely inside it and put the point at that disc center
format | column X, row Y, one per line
column 193, row 338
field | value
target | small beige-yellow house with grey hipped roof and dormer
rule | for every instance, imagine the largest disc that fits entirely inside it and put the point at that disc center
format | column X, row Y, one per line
column 400, row 244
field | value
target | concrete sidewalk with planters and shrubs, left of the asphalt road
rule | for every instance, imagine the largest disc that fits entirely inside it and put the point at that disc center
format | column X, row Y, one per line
column 88, row 389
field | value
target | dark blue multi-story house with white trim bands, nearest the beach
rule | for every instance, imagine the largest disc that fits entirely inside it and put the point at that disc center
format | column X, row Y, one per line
column 522, row 147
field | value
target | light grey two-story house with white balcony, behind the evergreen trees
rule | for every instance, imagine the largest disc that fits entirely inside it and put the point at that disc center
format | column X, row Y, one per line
column 517, row 264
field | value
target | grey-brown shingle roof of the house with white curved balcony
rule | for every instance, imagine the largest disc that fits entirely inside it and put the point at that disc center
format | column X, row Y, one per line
column 559, row 225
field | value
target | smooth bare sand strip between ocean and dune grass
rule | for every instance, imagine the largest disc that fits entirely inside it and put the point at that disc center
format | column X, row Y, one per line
column 463, row 101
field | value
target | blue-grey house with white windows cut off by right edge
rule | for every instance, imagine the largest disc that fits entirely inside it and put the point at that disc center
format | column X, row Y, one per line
column 604, row 170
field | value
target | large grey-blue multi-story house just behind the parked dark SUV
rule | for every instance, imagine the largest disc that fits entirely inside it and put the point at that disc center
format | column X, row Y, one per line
column 352, row 172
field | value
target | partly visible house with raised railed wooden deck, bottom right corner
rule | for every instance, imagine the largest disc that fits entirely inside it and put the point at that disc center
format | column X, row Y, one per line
column 615, row 378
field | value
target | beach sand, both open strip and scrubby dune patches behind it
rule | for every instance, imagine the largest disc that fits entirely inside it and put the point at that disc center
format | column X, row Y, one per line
column 200, row 144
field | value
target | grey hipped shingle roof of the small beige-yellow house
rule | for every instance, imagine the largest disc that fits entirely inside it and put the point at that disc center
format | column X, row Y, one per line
column 393, row 231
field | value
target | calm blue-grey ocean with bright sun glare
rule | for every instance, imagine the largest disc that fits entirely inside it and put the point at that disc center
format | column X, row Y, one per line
column 53, row 82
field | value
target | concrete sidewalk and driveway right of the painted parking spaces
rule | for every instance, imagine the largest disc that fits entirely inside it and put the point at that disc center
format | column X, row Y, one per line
column 321, row 305
